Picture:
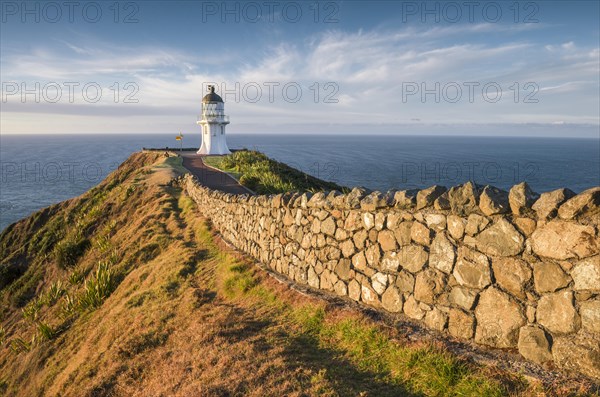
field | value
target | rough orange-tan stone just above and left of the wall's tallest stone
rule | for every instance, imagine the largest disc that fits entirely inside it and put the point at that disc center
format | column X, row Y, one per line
column 472, row 269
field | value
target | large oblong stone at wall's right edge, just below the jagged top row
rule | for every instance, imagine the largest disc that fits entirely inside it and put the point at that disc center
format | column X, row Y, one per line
column 564, row 240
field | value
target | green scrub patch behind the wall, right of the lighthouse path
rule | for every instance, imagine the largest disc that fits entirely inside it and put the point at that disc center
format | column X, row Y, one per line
column 266, row 176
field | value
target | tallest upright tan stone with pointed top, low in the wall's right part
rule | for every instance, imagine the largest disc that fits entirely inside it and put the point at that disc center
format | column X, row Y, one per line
column 499, row 319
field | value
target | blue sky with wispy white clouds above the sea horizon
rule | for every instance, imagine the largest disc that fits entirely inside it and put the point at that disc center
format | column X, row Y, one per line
column 364, row 67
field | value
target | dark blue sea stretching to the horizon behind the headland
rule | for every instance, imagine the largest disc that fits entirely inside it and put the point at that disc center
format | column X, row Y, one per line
column 40, row 170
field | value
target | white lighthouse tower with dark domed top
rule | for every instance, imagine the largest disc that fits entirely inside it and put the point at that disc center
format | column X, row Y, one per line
column 213, row 121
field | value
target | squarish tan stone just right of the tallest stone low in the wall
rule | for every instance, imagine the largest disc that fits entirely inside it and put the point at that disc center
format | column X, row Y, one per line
column 557, row 313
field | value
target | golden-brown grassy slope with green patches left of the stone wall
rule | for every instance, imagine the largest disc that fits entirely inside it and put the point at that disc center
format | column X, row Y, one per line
column 185, row 315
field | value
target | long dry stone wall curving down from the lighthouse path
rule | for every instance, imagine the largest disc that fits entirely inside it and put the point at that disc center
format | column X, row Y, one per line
column 512, row 270
